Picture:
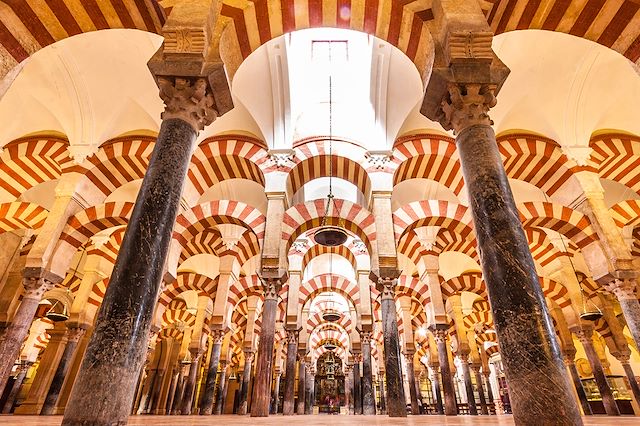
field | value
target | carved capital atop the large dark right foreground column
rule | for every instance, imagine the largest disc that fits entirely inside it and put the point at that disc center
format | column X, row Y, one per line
column 467, row 105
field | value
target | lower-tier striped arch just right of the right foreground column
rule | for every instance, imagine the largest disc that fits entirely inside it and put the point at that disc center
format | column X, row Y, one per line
column 568, row 222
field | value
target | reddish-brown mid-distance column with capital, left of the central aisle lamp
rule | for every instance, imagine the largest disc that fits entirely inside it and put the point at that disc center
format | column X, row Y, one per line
column 262, row 382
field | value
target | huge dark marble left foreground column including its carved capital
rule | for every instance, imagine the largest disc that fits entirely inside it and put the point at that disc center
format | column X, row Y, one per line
column 115, row 353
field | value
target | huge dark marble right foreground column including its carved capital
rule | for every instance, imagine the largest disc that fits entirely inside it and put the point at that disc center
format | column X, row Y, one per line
column 530, row 352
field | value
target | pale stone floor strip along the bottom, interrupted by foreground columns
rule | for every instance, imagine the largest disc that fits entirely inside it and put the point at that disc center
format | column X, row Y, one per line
column 311, row 420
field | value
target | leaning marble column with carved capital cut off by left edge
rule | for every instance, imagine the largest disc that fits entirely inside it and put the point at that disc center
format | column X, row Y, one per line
column 15, row 334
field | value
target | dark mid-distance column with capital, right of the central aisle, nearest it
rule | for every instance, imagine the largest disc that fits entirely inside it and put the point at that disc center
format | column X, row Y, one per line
column 396, row 405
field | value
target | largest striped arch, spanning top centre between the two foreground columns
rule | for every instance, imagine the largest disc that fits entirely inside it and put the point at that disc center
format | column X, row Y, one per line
column 402, row 24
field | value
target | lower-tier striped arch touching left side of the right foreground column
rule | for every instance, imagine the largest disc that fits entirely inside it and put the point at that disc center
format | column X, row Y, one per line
column 445, row 214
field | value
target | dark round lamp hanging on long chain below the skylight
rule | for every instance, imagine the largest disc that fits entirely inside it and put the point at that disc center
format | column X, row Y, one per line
column 329, row 235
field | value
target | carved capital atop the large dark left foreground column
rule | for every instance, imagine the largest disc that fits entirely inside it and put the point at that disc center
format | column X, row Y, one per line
column 188, row 99
